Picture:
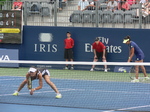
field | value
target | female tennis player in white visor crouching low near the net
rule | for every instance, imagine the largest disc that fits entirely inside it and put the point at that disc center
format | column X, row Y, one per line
column 38, row 73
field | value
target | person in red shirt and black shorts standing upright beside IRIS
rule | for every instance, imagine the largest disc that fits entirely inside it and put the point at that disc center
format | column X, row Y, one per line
column 68, row 54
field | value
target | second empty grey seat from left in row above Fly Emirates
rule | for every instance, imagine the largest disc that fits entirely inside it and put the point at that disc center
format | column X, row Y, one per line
column 86, row 16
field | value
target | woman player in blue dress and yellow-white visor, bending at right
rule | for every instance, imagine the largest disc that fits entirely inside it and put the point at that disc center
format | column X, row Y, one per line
column 135, row 49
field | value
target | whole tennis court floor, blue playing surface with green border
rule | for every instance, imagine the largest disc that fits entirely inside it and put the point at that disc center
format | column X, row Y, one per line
column 82, row 91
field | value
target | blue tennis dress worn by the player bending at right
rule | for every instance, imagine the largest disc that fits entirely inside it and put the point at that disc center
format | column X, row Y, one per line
column 137, row 51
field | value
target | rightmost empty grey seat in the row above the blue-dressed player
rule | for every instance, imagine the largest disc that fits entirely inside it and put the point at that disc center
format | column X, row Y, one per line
column 128, row 16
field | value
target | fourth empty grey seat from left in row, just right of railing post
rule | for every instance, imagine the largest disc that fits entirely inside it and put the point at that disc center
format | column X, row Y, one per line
column 107, row 16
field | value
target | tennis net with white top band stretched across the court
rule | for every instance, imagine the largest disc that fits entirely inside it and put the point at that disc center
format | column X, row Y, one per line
column 80, row 87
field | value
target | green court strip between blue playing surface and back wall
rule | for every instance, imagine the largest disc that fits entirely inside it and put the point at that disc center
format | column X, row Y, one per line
column 73, row 74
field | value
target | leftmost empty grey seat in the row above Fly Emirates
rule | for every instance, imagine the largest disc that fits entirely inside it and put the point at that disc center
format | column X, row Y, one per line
column 76, row 17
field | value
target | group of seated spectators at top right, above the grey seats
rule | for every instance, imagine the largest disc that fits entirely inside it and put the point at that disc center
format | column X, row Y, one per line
column 113, row 5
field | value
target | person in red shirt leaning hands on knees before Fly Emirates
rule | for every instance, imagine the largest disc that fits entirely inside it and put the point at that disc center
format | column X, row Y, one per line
column 99, row 52
